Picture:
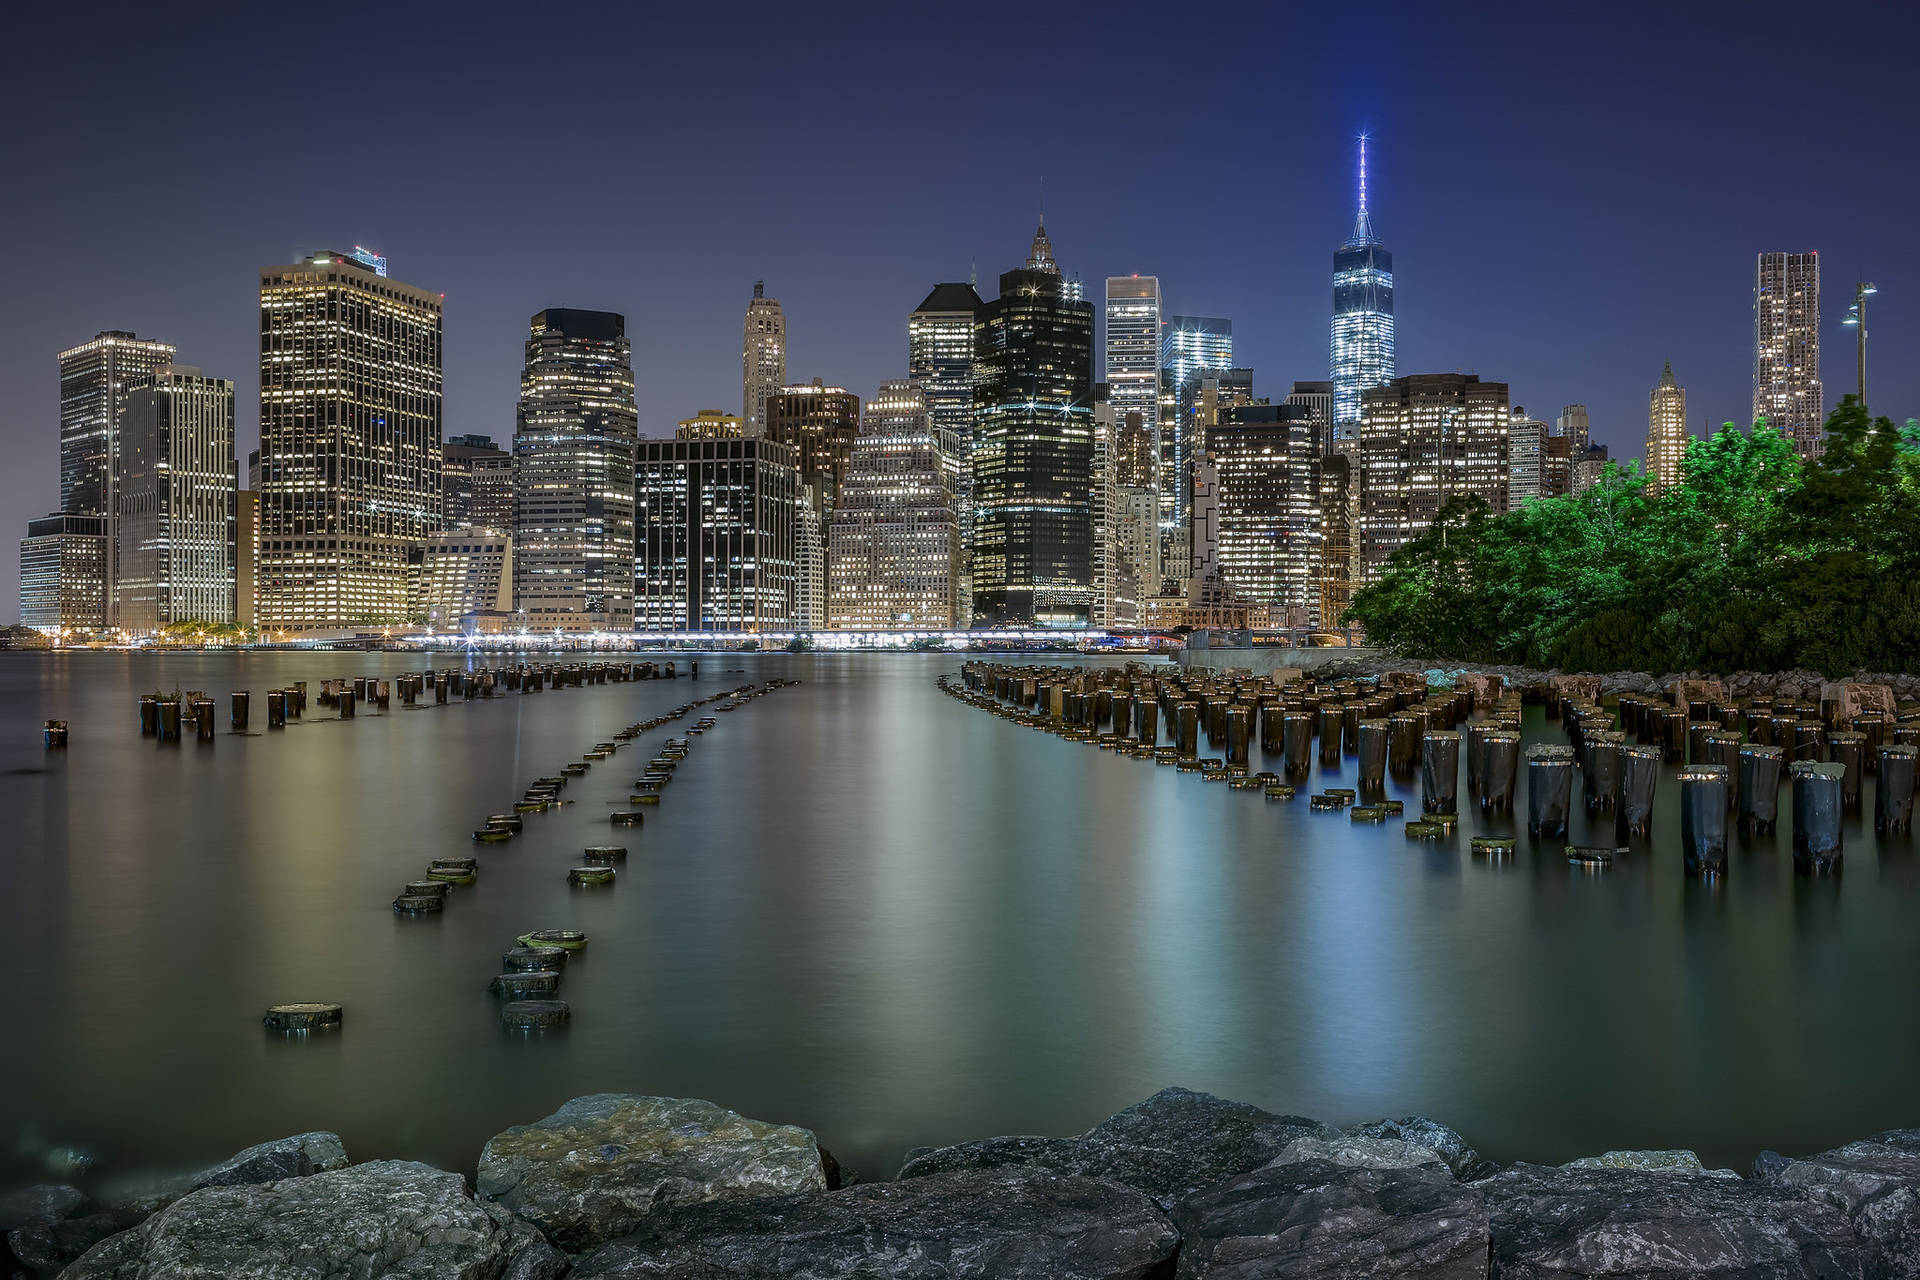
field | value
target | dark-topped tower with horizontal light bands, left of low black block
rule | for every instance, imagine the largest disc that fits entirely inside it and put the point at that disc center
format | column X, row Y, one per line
column 573, row 475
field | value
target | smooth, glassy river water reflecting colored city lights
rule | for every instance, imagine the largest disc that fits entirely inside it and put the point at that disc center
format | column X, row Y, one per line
column 875, row 911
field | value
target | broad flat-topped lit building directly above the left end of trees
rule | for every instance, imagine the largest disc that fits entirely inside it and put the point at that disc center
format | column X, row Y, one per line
column 1424, row 440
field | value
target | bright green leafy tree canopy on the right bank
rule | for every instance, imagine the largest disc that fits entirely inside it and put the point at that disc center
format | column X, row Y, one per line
column 1752, row 561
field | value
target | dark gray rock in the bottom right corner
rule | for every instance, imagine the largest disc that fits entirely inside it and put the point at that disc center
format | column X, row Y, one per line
column 1875, row 1183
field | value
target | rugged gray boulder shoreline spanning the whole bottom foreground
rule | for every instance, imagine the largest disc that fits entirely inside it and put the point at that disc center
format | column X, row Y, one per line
column 1180, row 1187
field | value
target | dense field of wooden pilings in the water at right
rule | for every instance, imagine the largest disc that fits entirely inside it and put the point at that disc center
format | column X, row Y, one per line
column 1735, row 755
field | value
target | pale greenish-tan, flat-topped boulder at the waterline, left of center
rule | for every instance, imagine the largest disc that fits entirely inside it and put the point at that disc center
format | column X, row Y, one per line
column 602, row 1164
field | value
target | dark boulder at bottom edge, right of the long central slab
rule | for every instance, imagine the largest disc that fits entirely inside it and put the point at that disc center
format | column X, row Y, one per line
column 1322, row 1220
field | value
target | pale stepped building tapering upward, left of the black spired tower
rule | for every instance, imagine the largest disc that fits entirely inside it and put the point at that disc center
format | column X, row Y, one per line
column 896, row 536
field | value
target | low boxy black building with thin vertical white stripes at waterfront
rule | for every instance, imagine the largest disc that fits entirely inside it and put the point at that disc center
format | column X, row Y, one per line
column 715, row 536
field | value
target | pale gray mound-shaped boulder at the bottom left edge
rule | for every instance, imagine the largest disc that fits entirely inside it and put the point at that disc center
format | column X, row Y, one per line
column 391, row 1220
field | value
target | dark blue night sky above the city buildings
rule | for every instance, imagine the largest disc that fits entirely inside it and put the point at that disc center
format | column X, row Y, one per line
column 1573, row 195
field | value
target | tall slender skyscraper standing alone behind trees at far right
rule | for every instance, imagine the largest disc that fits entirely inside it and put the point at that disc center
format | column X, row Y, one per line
column 1787, row 350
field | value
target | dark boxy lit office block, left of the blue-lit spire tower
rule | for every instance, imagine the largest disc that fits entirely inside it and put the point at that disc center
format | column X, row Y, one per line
column 1268, row 500
